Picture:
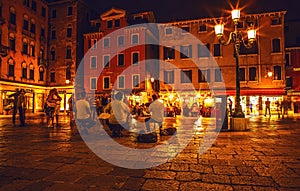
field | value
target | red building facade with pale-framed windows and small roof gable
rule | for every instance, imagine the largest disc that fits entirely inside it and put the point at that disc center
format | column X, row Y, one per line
column 116, row 54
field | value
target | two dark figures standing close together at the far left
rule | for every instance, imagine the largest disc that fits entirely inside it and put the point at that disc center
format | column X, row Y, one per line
column 19, row 105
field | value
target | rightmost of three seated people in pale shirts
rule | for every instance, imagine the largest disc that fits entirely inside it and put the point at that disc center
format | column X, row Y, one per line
column 156, row 110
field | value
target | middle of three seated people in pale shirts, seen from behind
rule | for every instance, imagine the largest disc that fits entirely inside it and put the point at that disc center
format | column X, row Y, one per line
column 119, row 113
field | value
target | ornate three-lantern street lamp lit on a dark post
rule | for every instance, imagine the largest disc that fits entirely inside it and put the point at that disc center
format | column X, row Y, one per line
column 236, row 38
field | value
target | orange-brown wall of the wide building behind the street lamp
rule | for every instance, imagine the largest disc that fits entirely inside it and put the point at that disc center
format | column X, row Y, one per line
column 263, row 60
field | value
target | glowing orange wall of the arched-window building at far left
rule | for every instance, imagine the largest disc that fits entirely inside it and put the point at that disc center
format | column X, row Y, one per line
column 30, row 62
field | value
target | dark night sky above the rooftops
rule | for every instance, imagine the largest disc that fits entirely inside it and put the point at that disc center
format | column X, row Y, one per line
column 168, row 10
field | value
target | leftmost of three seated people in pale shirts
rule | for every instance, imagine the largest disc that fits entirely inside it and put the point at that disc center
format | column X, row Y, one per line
column 83, row 112
